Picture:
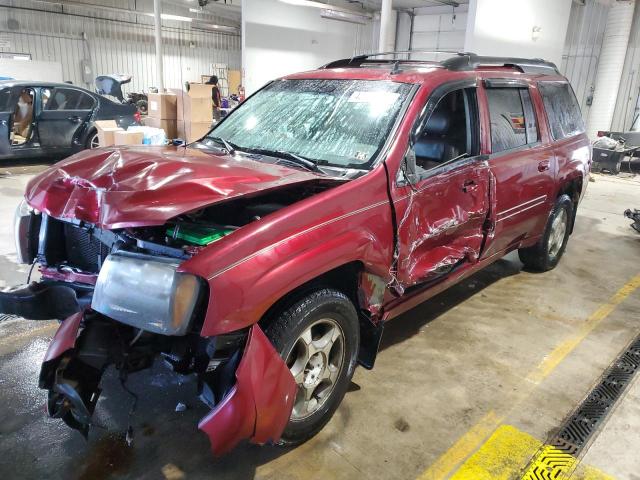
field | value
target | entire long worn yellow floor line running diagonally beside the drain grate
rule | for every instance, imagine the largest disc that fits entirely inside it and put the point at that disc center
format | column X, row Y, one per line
column 475, row 436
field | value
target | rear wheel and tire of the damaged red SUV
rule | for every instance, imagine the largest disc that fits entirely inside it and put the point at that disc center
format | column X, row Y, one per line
column 546, row 254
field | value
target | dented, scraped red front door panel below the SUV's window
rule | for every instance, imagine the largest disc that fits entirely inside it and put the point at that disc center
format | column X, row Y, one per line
column 441, row 221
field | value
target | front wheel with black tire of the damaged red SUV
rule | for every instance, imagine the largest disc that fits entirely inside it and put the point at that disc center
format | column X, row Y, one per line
column 322, row 374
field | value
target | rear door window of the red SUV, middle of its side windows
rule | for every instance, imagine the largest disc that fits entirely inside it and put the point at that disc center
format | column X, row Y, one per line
column 513, row 121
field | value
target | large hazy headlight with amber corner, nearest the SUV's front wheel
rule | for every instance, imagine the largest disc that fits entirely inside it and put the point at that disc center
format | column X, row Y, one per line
column 146, row 292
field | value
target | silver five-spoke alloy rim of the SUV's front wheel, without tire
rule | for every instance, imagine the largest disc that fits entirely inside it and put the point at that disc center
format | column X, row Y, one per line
column 315, row 361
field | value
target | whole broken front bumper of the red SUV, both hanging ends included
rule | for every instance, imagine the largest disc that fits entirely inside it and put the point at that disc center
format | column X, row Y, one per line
column 251, row 392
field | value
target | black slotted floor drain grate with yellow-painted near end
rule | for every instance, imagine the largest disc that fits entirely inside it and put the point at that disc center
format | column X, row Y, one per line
column 558, row 456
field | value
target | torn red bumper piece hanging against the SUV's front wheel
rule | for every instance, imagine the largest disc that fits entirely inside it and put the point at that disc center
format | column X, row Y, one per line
column 258, row 407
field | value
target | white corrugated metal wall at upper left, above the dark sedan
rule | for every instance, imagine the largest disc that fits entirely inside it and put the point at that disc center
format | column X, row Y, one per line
column 118, row 43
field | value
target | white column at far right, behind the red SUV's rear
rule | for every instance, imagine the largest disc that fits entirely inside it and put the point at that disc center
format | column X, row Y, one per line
column 610, row 66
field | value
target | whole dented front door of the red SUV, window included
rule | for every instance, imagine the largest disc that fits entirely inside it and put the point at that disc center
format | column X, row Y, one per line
column 443, row 201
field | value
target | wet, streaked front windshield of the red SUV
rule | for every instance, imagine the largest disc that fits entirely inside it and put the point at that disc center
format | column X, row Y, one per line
column 331, row 122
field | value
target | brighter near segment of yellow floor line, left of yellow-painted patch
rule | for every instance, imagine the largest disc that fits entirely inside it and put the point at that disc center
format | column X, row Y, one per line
column 464, row 447
